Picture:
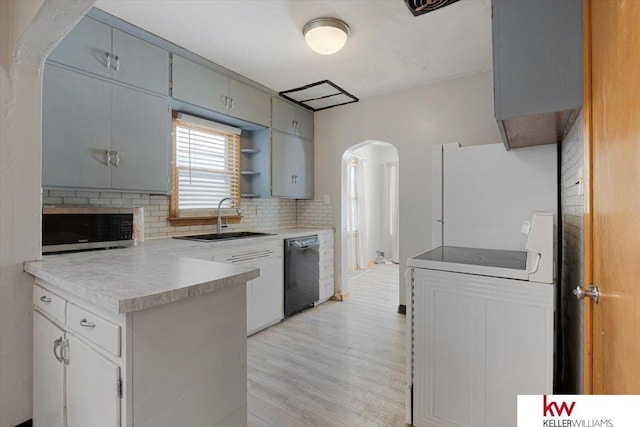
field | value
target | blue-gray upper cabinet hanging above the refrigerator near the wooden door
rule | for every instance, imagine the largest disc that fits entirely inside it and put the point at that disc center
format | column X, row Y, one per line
column 537, row 68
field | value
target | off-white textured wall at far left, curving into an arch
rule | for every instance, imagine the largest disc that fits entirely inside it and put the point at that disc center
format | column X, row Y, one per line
column 28, row 31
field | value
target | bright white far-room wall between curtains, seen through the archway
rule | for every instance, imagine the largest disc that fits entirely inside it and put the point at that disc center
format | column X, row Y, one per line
column 376, row 154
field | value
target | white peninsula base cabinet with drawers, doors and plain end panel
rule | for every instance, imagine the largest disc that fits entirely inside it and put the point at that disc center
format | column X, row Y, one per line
column 160, row 367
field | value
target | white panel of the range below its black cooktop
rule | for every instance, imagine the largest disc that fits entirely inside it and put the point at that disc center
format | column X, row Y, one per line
column 478, row 342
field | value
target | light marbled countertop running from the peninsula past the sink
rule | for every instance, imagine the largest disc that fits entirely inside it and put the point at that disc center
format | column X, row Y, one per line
column 150, row 274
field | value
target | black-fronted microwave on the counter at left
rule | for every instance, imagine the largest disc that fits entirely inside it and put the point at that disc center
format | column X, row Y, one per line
column 71, row 229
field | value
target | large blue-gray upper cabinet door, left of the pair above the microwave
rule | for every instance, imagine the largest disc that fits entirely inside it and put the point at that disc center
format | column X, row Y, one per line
column 76, row 130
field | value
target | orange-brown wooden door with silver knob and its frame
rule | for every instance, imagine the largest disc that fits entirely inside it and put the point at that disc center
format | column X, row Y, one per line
column 612, row 220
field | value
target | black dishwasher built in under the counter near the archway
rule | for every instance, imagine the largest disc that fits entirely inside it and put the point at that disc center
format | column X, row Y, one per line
column 301, row 274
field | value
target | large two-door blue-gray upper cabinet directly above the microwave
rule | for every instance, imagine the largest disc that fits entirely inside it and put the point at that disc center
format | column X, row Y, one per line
column 100, row 135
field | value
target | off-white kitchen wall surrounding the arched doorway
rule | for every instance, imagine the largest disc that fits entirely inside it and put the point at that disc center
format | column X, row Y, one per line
column 459, row 110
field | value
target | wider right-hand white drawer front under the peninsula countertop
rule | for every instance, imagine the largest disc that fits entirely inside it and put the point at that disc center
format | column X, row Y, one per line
column 94, row 328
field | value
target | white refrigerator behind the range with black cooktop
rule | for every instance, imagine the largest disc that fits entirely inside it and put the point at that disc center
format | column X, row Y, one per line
column 482, row 194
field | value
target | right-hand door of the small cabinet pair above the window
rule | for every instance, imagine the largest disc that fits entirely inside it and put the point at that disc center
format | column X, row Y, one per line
column 249, row 103
